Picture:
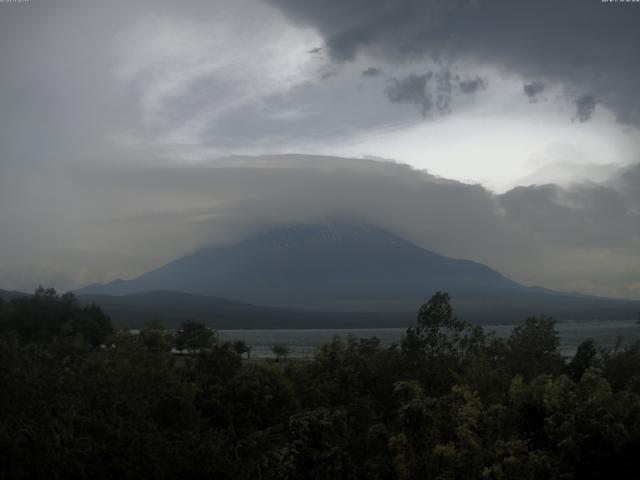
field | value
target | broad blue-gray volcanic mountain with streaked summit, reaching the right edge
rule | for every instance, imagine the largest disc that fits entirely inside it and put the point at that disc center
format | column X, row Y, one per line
column 343, row 266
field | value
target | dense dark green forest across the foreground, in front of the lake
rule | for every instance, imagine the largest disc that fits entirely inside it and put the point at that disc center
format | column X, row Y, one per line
column 82, row 400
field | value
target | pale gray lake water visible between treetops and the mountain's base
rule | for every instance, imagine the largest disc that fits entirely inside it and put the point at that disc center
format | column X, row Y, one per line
column 303, row 343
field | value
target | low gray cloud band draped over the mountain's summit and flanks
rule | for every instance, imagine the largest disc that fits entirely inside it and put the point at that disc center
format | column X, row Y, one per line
column 119, row 222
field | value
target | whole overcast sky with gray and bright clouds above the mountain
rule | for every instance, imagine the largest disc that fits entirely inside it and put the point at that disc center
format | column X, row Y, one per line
column 507, row 132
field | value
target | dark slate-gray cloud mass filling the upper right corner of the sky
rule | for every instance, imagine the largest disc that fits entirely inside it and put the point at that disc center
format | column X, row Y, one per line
column 587, row 44
